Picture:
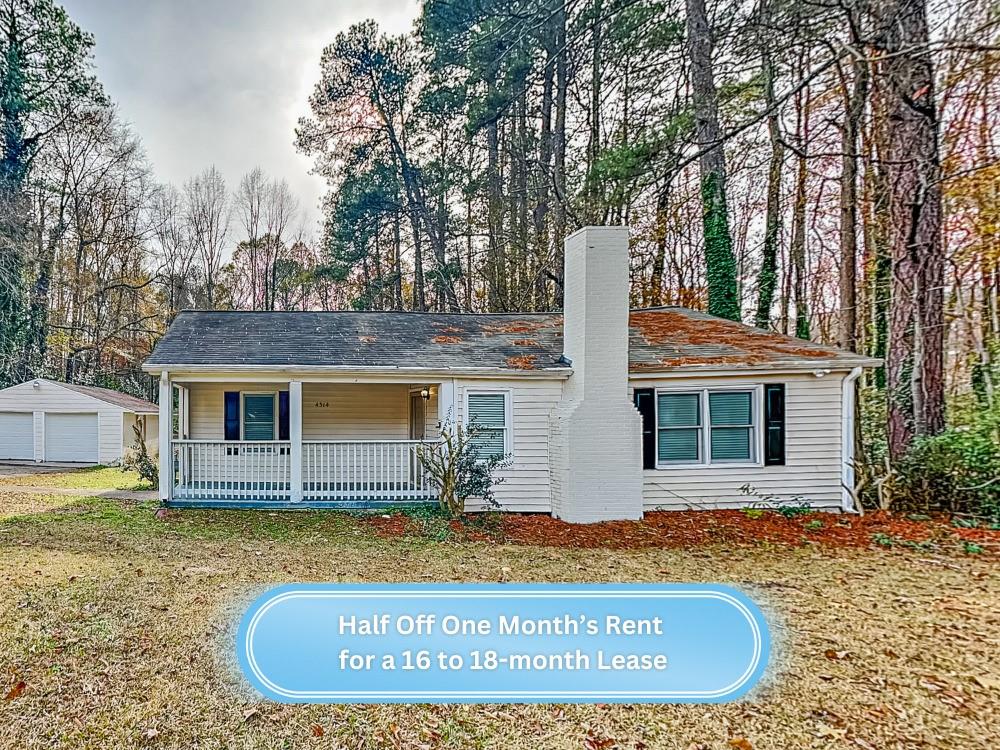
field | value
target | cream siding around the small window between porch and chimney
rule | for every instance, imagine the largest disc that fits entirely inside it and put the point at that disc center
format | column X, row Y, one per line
column 526, row 482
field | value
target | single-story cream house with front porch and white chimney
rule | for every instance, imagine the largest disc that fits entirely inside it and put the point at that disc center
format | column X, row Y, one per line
column 603, row 411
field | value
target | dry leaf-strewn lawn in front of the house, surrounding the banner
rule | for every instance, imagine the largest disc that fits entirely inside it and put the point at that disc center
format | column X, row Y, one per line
column 116, row 631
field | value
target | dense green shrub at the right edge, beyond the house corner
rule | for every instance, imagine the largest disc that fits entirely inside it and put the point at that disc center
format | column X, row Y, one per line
column 957, row 471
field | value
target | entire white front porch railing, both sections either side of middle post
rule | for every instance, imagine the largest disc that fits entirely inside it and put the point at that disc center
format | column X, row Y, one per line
column 357, row 470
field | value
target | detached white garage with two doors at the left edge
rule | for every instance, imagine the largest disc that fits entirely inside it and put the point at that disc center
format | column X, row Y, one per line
column 45, row 420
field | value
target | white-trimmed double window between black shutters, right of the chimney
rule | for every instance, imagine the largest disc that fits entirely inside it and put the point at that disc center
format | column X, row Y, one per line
column 707, row 426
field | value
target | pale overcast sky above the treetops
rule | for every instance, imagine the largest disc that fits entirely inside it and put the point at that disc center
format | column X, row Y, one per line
column 222, row 81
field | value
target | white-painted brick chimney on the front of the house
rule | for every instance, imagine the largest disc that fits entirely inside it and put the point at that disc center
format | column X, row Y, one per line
column 596, row 432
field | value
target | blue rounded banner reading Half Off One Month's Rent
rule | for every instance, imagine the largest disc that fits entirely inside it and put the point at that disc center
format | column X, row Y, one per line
column 509, row 643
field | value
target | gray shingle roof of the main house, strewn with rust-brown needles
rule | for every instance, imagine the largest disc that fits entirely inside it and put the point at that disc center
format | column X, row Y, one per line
column 660, row 339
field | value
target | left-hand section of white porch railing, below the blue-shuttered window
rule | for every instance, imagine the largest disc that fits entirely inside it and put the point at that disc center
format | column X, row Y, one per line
column 232, row 469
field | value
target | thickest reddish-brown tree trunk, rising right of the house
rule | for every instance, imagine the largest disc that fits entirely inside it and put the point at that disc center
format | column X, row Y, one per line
column 916, row 322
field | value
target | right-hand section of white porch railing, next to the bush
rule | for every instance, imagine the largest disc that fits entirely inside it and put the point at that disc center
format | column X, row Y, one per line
column 364, row 469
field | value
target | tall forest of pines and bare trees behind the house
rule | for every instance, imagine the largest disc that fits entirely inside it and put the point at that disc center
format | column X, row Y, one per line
column 823, row 169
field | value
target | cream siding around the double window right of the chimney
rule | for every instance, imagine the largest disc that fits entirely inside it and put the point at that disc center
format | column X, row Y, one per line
column 812, row 467
